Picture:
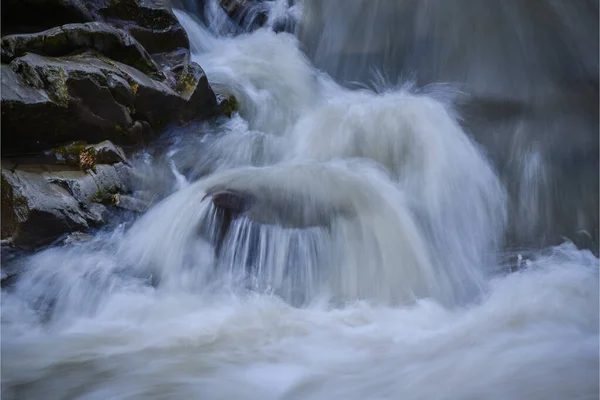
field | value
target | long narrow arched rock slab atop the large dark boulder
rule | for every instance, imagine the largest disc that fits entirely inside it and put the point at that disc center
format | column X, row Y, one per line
column 65, row 40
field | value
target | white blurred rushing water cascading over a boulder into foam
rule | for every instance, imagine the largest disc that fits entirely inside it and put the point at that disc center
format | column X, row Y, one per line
column 368, row 261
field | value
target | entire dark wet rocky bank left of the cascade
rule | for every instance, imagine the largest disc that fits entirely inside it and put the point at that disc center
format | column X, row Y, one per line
column 81, row 81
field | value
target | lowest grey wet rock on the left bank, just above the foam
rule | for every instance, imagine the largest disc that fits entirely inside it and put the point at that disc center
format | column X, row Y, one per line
column 40, row 203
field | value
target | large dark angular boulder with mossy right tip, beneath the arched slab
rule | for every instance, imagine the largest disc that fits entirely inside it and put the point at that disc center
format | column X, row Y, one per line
column 46, row 101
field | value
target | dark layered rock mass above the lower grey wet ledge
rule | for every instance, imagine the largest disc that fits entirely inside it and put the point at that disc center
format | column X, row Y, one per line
column 120, row 78
